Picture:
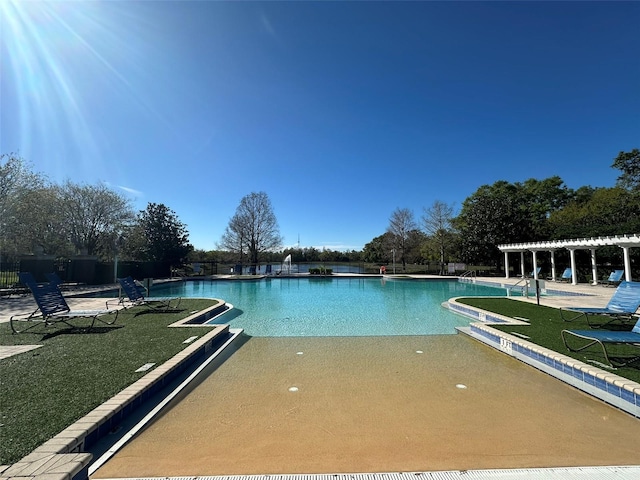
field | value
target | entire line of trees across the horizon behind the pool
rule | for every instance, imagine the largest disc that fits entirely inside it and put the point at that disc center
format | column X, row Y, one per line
column 37, row 216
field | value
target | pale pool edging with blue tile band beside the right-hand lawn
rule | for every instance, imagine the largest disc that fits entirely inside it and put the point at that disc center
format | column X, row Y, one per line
column 597, row 382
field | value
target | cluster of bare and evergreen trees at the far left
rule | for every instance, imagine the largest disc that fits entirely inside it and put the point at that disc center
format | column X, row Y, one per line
column 38, row 216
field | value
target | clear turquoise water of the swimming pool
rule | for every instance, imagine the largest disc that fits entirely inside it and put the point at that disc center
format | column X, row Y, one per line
column 288, row 307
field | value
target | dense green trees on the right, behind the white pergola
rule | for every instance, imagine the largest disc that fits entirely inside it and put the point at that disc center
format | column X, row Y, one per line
column 504, row 213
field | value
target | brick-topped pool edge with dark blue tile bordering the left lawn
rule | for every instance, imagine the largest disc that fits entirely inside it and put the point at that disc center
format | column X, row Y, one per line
column 64, row 456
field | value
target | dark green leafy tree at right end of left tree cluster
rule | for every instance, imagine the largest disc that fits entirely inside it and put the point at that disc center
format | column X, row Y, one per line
column 158, row 236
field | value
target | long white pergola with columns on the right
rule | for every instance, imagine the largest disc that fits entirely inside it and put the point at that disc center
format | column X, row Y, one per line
column 623, row 241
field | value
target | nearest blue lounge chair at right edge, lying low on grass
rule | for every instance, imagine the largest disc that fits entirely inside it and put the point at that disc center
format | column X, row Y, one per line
column 603, row 338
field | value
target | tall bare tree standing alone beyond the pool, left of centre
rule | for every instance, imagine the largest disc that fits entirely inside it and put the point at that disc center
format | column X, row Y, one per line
column 253, row 228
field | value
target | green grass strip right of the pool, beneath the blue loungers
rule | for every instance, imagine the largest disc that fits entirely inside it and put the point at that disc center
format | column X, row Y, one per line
column 545, row 327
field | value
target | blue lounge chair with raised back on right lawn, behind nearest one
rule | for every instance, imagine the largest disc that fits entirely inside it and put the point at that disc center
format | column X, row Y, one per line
column 622, row 306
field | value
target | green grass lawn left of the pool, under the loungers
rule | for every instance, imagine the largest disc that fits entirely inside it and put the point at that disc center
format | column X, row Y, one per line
column 47, row 389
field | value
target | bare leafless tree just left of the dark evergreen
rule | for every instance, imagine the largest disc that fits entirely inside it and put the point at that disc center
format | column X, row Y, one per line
column 92, row 216
